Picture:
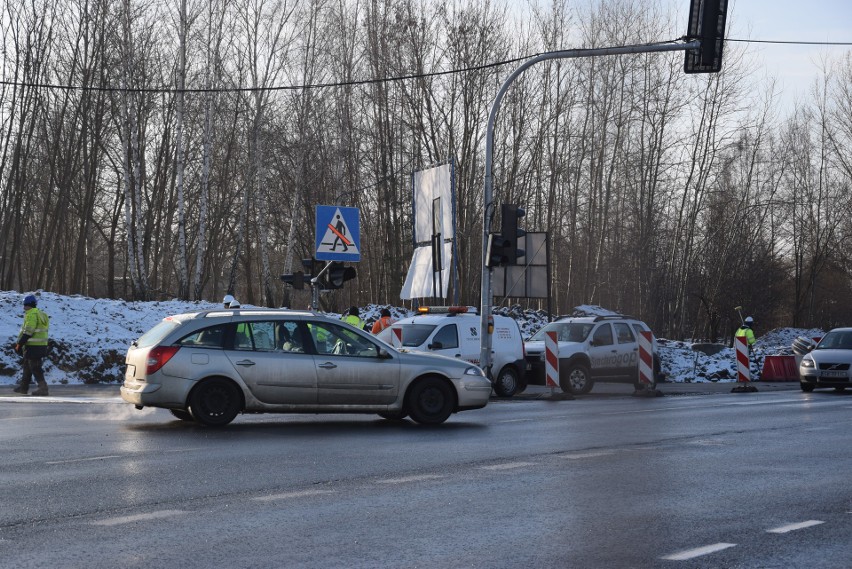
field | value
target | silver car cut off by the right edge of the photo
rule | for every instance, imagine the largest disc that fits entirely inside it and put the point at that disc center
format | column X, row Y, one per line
column 828, row 364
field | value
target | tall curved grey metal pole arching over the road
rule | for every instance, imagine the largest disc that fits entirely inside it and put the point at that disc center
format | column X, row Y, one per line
column 488, row 200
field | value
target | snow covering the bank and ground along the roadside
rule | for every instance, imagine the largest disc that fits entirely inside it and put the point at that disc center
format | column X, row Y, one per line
column 90, row 337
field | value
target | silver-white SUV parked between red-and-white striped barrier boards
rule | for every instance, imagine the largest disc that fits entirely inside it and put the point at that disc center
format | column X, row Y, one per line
column 594, row 348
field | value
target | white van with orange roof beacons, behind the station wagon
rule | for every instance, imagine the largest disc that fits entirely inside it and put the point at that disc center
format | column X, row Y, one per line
column 454, row 331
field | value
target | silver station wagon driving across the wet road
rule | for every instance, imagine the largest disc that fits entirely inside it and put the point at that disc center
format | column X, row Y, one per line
column 211, row 366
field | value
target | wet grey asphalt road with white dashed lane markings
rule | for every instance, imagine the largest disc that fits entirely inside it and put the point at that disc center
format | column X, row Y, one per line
column 698, row 478
